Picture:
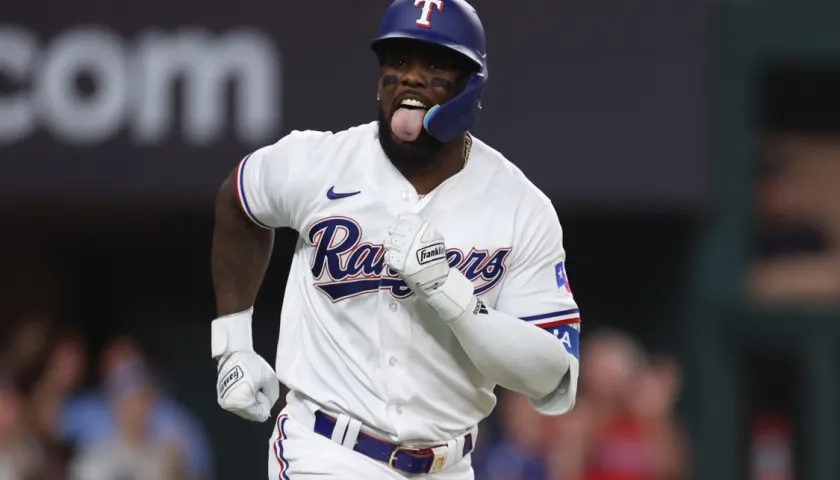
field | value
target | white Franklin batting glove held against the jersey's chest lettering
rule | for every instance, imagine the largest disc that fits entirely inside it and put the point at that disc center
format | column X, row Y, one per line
column 417, row 252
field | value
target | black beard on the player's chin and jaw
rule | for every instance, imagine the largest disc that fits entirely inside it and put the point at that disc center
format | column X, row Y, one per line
column 409, row 159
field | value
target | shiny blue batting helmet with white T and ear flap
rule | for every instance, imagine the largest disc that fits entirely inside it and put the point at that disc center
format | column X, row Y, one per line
column 453, row 24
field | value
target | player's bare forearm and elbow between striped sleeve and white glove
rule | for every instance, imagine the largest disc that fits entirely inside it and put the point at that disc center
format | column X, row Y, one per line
column 240, row 255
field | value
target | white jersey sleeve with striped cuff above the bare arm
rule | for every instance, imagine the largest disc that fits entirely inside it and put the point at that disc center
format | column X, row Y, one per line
column 266, row 181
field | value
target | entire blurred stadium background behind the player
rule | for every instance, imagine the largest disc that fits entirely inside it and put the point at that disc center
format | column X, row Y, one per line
column 691, row 149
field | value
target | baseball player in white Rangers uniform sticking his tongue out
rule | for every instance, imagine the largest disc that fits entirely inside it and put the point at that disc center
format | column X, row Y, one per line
column 428, row 270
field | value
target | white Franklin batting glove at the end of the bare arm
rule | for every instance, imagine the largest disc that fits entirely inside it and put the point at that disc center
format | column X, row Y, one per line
column 247, row 385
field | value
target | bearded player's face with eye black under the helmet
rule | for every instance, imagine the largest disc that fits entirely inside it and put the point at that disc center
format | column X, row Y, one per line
column 426, row 75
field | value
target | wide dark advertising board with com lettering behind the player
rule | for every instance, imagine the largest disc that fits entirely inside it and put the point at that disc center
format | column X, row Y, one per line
column 155, row 101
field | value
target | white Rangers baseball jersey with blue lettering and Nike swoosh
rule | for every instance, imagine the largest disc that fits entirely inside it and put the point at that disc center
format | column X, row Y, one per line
column 352, row 336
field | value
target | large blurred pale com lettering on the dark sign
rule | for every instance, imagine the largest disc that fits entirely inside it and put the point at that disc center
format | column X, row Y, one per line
column 88, row 83
